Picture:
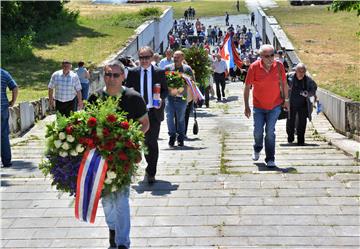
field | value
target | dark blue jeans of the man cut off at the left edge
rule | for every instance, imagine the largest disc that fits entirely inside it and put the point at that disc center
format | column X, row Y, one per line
column 5, row 141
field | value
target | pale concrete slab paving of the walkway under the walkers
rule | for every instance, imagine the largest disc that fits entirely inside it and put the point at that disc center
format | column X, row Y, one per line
column 209, row 194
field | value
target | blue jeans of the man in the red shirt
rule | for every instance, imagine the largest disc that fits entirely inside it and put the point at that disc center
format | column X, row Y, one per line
column 268, row 118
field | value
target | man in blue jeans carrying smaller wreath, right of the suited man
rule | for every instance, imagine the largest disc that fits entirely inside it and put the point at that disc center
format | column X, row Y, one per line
column 176, row 103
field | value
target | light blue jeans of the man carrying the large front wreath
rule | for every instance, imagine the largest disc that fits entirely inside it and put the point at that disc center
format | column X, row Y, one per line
column 117, row 215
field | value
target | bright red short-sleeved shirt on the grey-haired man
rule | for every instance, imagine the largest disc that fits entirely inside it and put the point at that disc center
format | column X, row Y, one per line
column 266, row 87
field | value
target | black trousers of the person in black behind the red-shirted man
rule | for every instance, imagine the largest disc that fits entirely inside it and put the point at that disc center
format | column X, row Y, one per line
column 301, row 113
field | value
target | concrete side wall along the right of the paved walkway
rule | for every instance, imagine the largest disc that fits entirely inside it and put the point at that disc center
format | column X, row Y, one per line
column 342, row 113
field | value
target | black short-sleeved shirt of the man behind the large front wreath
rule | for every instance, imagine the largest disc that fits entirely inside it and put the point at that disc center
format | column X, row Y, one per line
column 131, row 102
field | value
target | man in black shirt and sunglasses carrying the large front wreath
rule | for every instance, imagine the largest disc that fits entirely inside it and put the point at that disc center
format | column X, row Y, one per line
column 116, row 204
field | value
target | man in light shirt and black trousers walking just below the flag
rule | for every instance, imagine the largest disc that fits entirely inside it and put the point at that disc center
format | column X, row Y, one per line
column 220, row 73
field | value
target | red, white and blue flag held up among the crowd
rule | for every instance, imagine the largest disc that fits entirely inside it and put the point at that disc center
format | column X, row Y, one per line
column 229, row 53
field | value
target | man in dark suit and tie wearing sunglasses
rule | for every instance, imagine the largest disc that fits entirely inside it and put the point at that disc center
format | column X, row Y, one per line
column 150, row 75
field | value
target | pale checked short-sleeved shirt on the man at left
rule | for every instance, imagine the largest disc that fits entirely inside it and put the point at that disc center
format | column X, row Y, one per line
column 65, row 86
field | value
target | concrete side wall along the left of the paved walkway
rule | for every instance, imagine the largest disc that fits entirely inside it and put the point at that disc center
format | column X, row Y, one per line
column 151, row 33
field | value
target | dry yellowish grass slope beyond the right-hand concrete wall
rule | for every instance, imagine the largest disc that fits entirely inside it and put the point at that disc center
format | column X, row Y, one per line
column 326, row 42
